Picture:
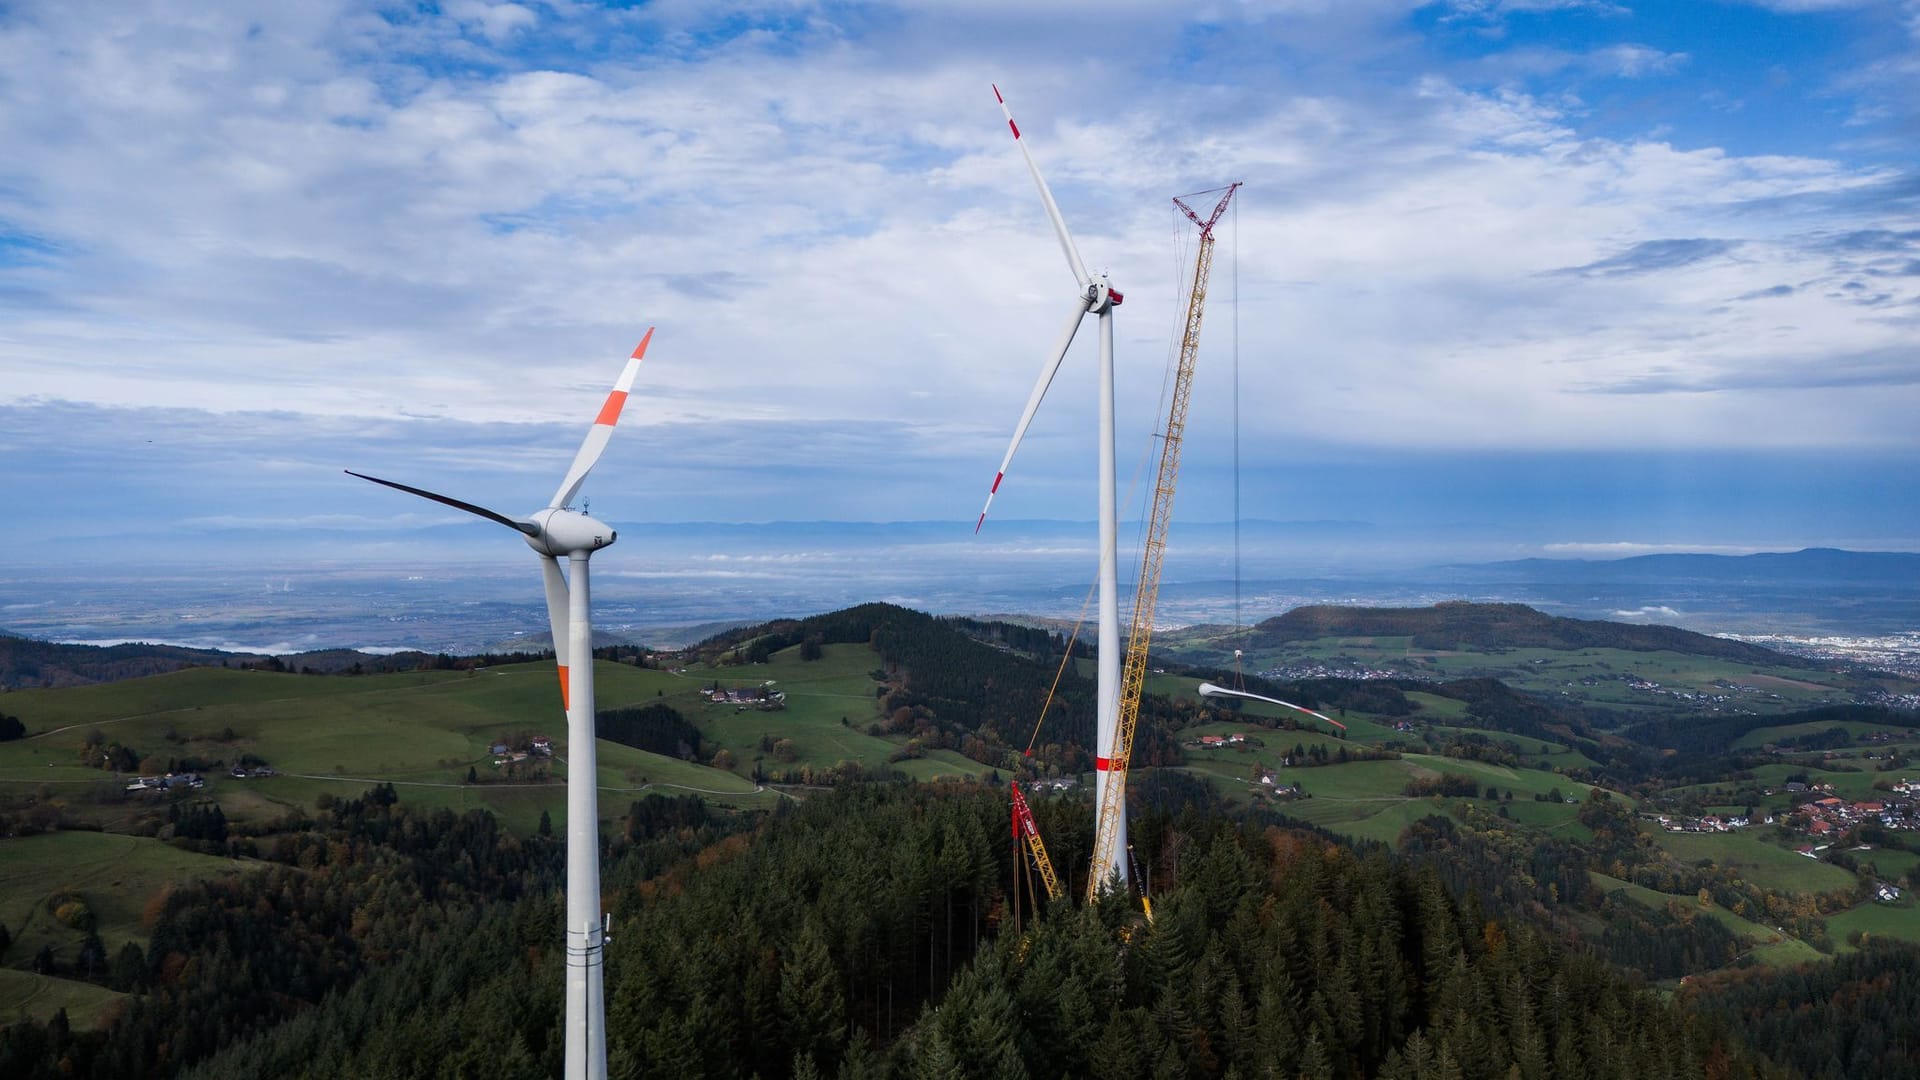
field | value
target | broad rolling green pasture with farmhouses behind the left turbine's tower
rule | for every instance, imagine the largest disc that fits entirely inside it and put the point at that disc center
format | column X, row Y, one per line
column 339, row 735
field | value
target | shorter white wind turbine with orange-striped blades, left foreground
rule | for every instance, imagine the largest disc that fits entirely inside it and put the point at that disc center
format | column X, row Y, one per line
column 564, row 533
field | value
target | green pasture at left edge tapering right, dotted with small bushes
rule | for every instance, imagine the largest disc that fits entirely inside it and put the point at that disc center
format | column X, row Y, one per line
column 114, row 875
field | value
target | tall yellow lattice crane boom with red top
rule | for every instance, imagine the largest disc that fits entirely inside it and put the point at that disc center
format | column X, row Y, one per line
column 1147, row 597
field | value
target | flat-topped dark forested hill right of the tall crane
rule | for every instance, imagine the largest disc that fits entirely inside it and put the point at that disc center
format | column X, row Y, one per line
column 1456, row 626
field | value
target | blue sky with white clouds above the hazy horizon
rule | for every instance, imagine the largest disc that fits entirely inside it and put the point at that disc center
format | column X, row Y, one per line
column 1531, row 276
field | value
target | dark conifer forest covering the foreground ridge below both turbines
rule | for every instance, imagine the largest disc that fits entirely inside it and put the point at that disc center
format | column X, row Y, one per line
column 863, row 935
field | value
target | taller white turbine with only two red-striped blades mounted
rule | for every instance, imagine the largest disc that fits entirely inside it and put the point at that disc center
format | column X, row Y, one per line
column 1095, row 297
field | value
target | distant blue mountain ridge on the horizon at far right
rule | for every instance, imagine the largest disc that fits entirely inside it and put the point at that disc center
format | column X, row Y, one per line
column 1806, row 566
